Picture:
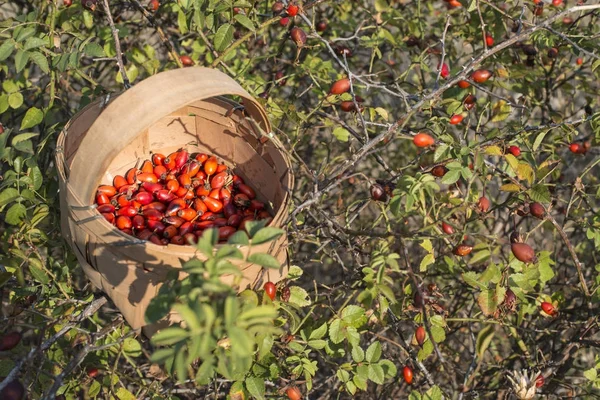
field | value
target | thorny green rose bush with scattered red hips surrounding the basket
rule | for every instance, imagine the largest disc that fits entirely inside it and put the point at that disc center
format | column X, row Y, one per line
column 446, row 159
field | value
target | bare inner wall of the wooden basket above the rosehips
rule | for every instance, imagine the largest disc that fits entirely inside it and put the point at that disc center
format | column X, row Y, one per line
column 208, row 126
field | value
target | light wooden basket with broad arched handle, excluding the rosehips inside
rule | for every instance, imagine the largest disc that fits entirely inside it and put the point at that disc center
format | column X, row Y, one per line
column 179, row 108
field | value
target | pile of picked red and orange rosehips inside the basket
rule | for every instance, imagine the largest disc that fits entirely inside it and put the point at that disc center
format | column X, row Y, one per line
column 174, row 198
